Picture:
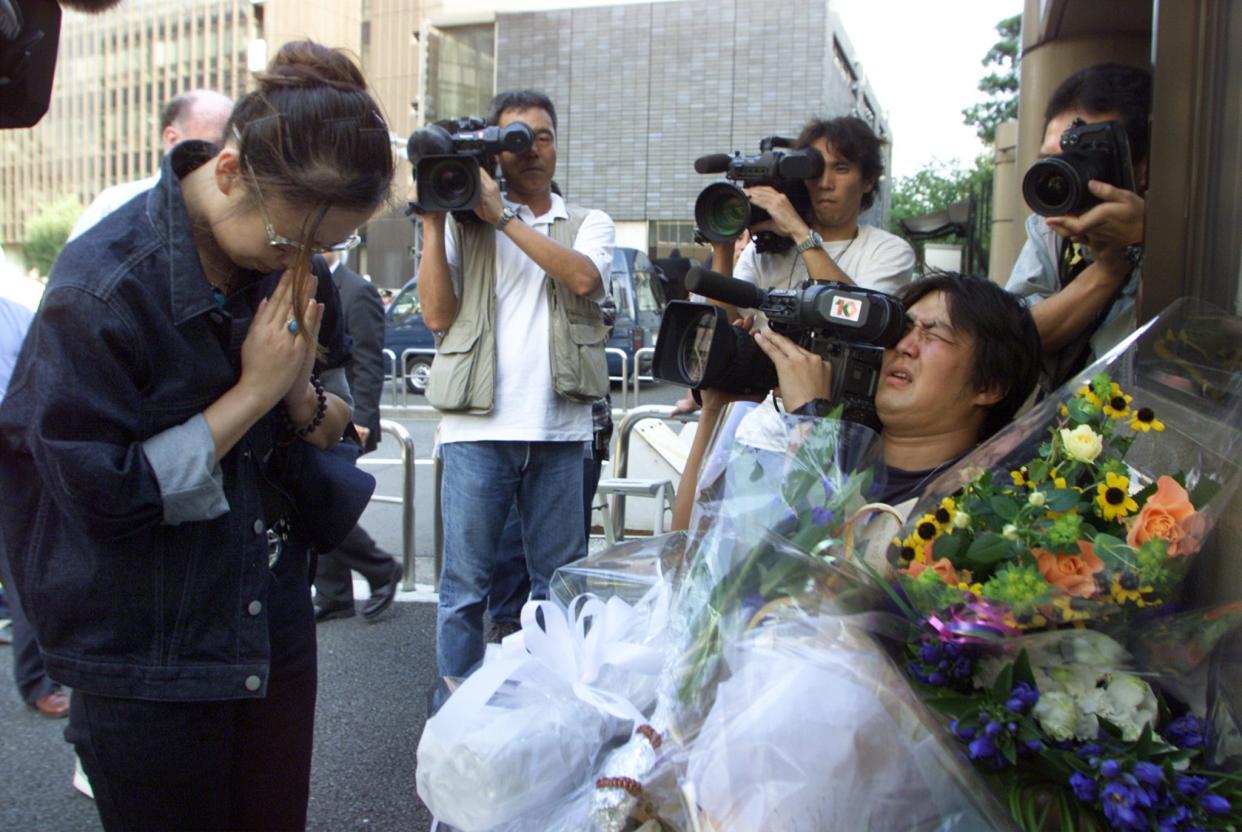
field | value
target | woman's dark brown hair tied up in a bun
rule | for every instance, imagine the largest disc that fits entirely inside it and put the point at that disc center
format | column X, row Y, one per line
column 312, row 136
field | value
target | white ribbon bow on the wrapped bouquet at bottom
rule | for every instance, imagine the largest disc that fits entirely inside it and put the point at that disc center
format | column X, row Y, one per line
column 573, row 648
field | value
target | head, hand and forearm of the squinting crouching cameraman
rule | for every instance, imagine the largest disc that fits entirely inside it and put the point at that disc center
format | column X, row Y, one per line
column 967, row 363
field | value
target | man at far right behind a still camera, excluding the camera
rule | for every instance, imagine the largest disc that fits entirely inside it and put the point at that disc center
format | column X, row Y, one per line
column 1080, row 275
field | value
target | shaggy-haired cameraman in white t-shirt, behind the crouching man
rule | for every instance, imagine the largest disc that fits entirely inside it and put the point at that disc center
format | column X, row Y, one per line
column 834, row 246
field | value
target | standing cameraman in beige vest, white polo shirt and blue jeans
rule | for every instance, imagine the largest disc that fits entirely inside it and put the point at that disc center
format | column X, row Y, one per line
column 515, row 302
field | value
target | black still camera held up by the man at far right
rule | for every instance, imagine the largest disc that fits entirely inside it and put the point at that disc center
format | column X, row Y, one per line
column 1058, row 186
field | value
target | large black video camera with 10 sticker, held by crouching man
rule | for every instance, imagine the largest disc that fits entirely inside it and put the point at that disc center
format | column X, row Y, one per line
column 846, row 326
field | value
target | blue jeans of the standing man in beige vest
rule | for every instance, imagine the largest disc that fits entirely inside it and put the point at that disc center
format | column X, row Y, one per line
column 481, row 482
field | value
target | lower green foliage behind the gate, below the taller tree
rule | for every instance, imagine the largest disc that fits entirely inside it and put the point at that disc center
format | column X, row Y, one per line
column 938, row 187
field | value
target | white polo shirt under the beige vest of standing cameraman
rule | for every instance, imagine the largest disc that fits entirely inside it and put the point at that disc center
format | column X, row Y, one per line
column 526, row 408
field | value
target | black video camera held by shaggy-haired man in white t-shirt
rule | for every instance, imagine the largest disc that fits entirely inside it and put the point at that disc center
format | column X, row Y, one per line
column 723, row 210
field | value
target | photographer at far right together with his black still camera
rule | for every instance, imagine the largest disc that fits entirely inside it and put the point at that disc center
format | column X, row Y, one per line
column 1080, row 271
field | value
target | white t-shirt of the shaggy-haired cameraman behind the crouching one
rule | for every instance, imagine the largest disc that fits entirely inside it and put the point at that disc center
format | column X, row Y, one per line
column 874, row 260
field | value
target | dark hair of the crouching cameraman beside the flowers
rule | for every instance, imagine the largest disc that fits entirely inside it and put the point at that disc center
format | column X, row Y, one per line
column 1008, row 350
